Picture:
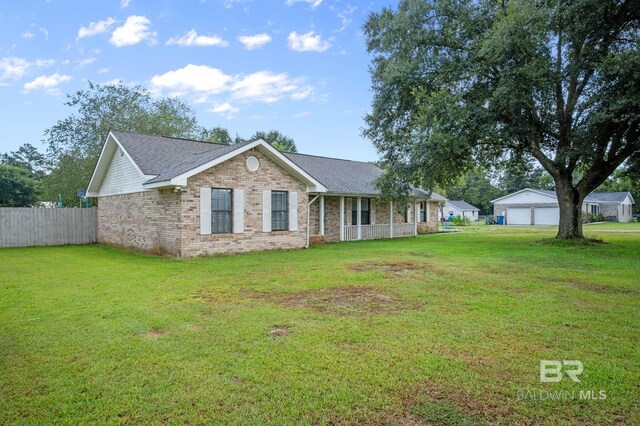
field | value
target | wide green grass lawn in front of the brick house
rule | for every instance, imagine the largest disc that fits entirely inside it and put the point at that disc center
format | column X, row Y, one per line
column 439, row 329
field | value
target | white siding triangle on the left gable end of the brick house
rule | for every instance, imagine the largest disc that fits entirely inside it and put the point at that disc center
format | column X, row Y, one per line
column 121, row 177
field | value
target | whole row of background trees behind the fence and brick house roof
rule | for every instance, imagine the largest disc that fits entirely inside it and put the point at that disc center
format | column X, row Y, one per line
column 73, row 144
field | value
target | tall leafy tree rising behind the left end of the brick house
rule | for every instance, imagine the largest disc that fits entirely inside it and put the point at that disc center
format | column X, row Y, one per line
column 74, row 143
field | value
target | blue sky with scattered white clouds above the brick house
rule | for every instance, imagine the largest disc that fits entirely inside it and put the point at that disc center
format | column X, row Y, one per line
column 298, row 66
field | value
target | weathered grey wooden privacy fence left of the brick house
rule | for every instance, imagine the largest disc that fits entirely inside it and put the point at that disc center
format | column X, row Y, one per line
column 24, row 226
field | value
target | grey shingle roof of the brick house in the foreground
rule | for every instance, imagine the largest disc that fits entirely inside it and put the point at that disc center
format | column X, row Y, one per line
column 167, row 158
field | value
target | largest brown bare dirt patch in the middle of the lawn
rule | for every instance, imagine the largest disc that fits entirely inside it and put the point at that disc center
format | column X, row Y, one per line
column 337, row 301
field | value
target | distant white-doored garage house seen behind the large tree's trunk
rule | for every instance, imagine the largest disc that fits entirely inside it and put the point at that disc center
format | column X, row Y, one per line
column 540, row 207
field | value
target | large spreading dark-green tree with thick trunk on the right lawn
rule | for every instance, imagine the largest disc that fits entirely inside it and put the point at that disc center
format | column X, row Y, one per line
column 459, row 84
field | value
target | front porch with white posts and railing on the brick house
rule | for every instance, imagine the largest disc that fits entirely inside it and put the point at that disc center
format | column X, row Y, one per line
column 343, row 218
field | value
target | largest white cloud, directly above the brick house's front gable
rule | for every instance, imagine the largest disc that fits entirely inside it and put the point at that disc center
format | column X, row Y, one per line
column 211, row 85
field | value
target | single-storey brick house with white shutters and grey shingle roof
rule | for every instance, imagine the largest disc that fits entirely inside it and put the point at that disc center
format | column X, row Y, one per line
column 189, row 198
